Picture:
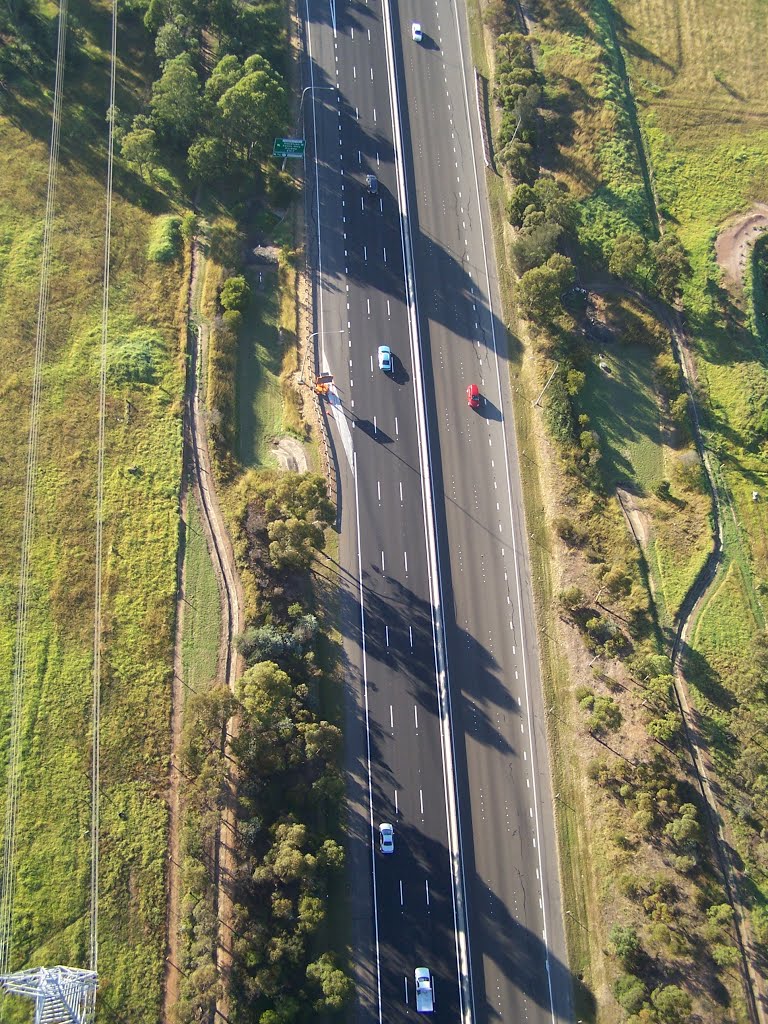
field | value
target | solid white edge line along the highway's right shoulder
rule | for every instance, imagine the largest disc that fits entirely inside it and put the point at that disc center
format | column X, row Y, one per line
column 509, row 494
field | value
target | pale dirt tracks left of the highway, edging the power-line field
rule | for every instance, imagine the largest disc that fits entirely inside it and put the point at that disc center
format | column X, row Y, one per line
column 197, row 461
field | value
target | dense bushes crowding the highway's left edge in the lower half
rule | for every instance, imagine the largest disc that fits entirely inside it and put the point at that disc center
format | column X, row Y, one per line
column 290, row 786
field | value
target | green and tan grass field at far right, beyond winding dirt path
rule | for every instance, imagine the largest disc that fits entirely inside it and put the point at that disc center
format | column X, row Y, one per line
column 699, row 75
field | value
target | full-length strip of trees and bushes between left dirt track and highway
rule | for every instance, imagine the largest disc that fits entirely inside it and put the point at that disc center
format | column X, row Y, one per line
column 273, row 745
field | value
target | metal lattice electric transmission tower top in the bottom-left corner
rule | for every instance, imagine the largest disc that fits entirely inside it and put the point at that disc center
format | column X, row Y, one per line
column 61, row 995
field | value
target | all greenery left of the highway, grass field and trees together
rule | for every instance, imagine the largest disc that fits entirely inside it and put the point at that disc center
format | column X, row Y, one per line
column 201, row 92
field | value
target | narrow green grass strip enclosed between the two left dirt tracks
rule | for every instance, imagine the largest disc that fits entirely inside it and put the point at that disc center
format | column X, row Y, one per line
column 203, row 608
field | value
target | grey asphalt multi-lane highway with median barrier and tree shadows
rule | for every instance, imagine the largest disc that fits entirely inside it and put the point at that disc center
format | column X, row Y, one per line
column 402, row 593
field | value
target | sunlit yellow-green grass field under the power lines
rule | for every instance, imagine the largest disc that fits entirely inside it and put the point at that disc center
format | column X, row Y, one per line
column 143, row 464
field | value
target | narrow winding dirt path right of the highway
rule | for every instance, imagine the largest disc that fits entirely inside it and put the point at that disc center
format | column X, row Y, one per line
column 695, row 601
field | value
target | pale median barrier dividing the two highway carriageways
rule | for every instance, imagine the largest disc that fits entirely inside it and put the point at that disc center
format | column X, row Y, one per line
column 458, row 883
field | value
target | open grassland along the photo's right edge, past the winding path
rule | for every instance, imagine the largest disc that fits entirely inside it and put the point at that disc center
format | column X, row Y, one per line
column 705, row 118
